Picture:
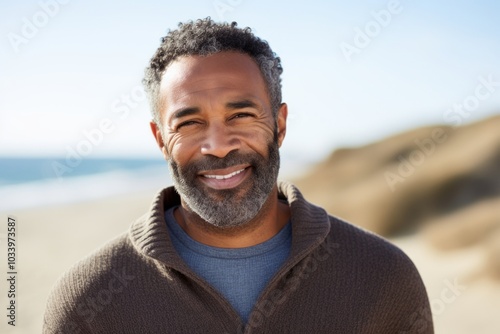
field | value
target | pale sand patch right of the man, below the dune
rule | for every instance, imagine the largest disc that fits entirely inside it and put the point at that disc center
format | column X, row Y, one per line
column 463, row 298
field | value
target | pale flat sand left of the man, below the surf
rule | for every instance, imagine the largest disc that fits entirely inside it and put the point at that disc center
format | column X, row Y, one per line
column 52, row 239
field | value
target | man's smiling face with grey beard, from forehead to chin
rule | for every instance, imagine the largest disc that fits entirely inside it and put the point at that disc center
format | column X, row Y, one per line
column 219, row 136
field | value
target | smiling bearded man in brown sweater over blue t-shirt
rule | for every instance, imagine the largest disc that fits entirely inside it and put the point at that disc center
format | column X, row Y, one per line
column 228, row 249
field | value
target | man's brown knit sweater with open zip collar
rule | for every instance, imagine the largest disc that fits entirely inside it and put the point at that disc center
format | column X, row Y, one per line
column 337, row 279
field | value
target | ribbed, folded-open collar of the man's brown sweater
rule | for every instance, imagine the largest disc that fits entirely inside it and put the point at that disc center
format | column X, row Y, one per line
column 149, row 234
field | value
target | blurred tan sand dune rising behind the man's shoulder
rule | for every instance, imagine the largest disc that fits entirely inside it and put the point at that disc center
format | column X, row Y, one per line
column 406, row 180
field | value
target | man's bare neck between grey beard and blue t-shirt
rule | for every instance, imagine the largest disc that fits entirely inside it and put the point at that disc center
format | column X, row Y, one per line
column 272, row 217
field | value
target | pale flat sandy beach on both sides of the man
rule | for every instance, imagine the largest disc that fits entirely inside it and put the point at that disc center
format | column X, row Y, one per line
column 52, row 239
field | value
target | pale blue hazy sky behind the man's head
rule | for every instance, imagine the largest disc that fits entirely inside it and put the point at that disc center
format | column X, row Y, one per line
column 354, row 71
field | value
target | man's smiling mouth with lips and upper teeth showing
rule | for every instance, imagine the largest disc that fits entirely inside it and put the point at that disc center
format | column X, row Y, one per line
column 225, row 178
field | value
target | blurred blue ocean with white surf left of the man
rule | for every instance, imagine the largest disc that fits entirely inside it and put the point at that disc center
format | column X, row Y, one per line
column 42, row 181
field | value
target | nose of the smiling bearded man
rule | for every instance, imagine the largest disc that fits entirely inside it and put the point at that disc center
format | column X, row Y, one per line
column 219, row 141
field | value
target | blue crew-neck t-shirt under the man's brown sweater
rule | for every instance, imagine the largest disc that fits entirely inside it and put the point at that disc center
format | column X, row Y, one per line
column 239, row 274
